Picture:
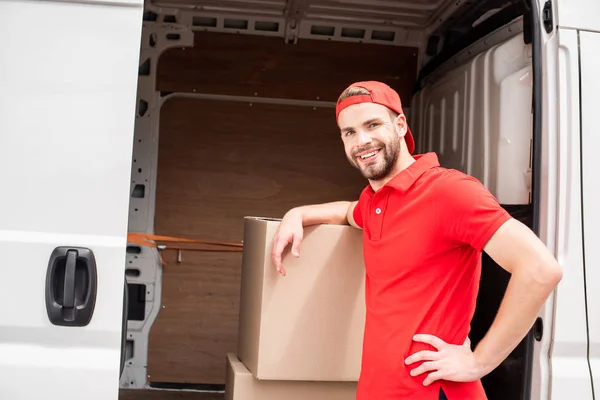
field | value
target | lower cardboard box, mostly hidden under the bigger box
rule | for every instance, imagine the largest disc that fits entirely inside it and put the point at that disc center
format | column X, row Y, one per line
column 240, row 384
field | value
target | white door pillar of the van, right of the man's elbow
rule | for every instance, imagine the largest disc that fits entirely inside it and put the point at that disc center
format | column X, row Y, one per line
column 569, row 367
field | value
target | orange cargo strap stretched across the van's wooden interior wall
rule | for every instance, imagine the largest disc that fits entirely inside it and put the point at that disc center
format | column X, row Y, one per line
column 151, row 240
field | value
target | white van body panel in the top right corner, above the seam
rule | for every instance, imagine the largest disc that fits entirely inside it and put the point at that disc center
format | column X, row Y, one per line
column 577, row 14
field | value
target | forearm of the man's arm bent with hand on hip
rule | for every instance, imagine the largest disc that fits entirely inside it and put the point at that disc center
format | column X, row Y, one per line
column 525, row 295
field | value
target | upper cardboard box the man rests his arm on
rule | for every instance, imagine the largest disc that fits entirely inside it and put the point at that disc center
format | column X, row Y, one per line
column 307, row 325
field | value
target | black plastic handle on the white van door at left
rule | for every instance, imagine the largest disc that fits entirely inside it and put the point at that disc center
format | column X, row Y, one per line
column 71, row 286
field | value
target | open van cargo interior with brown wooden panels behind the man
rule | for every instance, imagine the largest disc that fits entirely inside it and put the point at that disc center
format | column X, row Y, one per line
column 235, row 117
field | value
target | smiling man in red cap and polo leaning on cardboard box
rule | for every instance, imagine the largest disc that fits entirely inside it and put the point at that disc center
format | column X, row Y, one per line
column 424, row 228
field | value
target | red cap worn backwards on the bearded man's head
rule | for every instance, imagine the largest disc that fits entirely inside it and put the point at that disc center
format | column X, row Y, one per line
column 380, row 94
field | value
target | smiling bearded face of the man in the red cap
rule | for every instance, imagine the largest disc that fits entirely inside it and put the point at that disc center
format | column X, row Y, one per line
column 371, row 139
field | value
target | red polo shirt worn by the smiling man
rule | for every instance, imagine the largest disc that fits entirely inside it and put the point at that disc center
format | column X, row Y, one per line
column 423, row 234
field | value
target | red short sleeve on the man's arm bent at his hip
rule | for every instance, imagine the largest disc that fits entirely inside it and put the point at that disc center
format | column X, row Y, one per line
column 466, row 212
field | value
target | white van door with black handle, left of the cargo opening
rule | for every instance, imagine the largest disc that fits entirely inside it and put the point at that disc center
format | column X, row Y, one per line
column 68, row 79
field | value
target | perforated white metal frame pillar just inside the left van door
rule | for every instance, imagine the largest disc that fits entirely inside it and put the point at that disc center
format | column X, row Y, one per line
column 141, row 209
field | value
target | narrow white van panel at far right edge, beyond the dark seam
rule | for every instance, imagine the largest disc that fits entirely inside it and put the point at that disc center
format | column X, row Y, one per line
column 590, row 106
